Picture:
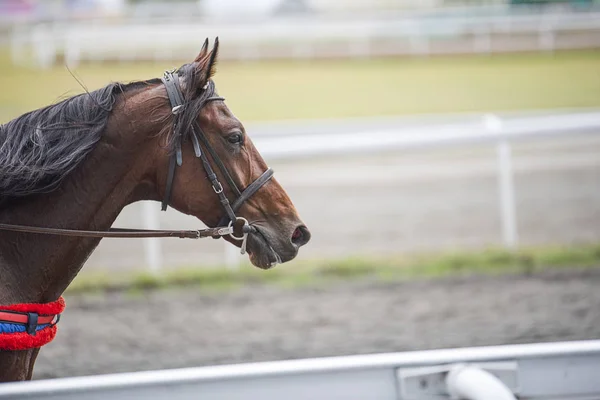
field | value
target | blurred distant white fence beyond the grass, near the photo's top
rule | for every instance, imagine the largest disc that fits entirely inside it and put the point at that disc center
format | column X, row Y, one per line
column 306, row 36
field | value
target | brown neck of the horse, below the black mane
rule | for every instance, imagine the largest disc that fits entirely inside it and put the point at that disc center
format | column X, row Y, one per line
column 38, row 268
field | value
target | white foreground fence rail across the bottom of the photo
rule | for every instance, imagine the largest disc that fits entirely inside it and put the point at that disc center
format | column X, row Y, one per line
column 565, row 370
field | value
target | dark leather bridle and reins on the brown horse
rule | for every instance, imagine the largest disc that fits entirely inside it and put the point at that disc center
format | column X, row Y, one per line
column 231, row 225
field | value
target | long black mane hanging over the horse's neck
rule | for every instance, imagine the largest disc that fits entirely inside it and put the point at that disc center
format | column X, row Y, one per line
column 40, row 148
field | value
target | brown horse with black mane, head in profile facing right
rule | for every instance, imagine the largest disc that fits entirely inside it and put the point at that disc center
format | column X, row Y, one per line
column 78, row 163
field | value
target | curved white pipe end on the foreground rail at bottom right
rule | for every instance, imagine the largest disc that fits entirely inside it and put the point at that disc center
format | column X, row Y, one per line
column 471, row 383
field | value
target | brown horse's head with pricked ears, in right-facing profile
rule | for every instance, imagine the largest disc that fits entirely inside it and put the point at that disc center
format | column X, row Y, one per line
column 210, row 168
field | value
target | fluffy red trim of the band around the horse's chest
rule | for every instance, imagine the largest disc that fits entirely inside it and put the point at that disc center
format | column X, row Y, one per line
column 24, row 340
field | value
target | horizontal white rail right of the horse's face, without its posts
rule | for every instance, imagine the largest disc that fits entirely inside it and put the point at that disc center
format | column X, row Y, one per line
column 454, row 131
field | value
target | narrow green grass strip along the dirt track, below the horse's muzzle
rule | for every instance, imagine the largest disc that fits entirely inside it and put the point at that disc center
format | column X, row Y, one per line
column 491, row 261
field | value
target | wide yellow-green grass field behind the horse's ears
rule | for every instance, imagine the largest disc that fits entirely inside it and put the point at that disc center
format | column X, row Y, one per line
column 346, row 88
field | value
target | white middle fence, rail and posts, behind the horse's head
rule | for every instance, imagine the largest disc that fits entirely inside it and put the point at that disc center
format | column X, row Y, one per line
column 340, row 138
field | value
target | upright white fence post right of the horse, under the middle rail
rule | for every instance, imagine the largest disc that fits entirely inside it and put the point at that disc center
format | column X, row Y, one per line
column 506, row 185
